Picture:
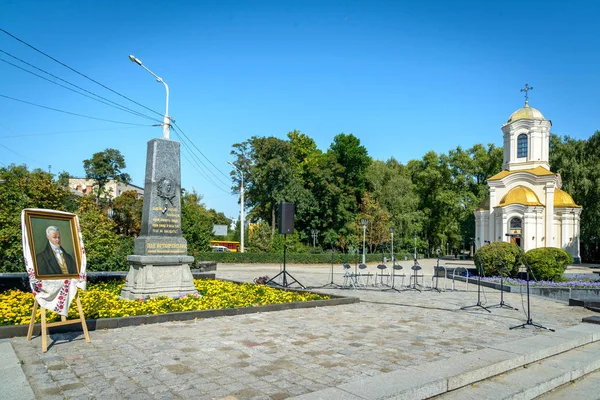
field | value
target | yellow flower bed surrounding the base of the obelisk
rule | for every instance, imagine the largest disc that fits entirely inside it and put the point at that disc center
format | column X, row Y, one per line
column 102, row 300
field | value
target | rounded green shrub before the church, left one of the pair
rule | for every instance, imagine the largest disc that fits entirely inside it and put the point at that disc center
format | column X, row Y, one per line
column 499, row 259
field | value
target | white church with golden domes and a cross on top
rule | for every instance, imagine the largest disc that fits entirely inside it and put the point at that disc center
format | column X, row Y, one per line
column 526, row 205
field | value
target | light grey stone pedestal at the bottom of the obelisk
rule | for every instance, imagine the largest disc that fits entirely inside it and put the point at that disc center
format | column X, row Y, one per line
column 152, row 276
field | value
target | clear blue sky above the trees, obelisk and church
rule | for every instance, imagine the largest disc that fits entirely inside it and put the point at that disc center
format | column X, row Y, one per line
column 405, row 77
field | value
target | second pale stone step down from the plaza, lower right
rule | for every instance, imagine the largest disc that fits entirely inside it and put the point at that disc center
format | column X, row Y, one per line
column 534, row 379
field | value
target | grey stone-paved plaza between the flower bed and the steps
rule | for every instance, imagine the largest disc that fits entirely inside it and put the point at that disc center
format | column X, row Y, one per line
column 281, row 354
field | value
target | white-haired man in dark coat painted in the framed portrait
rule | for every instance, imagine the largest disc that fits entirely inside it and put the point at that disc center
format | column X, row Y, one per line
column 54, row 259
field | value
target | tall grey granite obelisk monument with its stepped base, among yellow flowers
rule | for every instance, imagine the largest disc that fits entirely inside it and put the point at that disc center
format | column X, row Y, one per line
column 160, row 264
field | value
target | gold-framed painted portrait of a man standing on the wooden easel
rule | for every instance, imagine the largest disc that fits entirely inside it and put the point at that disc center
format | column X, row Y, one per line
column 54, row 244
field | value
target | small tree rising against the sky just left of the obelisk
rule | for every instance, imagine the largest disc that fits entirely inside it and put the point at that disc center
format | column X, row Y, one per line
column 103, row 167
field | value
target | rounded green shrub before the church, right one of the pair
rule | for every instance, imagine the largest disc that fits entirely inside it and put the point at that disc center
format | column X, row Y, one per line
column 548, row 263
